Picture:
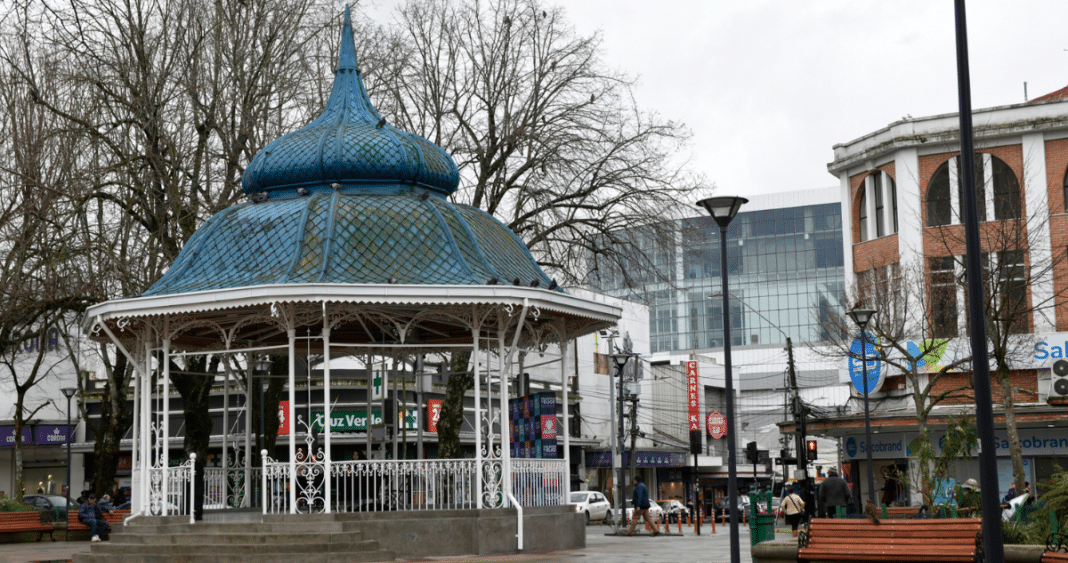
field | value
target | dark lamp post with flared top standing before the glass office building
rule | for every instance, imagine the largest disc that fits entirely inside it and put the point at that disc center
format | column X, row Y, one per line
column 724, row 211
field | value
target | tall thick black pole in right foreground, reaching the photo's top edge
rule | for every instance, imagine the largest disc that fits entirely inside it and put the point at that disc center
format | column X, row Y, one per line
column 981, row 367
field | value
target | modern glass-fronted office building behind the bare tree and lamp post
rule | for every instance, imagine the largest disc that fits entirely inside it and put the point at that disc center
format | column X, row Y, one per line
column 786, row 267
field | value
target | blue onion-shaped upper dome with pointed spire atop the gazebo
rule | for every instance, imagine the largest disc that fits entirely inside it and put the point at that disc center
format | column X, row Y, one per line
column 352, row 146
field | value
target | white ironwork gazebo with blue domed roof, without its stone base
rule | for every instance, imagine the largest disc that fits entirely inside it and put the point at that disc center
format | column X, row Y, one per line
column 348, row 246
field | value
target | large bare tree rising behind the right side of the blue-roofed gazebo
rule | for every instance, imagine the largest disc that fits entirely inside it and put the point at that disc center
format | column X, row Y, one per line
column 546, row 137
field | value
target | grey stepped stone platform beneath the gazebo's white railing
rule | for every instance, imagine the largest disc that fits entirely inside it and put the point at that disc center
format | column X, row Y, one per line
column 242, row 536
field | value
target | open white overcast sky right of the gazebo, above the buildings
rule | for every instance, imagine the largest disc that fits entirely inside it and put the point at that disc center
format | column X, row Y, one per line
column 768, row 87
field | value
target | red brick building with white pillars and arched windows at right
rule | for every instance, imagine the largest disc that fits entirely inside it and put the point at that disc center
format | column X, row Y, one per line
column 901, row 194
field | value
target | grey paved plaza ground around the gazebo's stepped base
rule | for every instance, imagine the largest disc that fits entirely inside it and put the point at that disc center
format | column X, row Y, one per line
column 601, row 549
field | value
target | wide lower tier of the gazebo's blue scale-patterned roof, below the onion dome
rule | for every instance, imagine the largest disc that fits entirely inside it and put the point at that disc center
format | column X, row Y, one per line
column 351, row 239
